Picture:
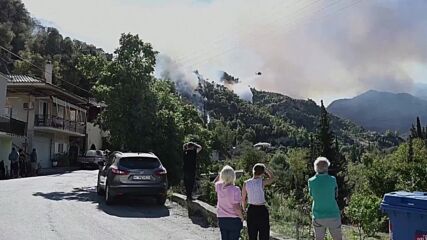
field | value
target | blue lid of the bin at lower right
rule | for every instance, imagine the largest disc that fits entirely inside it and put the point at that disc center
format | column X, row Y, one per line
column 413, row 200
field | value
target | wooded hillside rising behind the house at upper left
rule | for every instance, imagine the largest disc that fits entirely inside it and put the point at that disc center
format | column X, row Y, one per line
column 21, row 35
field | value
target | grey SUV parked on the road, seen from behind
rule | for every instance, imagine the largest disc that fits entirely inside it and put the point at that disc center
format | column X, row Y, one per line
column 132, row 174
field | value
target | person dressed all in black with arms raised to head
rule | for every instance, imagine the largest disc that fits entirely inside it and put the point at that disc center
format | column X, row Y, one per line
column 191, row 150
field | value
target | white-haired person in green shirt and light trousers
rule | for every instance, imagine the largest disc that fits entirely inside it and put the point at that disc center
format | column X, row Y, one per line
column 325, row 212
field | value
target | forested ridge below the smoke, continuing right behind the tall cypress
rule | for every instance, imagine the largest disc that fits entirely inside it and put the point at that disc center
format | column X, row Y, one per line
column 281, row 120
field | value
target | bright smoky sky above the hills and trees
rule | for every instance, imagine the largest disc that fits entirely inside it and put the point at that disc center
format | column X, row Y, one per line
column 317, row 49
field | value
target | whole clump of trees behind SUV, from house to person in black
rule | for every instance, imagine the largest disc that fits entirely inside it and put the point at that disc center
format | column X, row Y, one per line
column 144, row 114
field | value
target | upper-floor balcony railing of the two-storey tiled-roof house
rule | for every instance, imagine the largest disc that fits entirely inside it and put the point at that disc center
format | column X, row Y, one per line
column 59, row 123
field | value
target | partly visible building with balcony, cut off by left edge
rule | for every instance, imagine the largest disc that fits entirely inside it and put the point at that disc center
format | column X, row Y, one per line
column 9, row 127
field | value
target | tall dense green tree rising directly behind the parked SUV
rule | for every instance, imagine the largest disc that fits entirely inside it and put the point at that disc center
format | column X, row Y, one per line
column 125, row 88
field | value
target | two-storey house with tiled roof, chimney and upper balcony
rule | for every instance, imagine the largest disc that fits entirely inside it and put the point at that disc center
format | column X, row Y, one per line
column 56, row 119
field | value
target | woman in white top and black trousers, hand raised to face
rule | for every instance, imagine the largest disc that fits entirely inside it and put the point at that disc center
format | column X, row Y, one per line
column 258, row 221
